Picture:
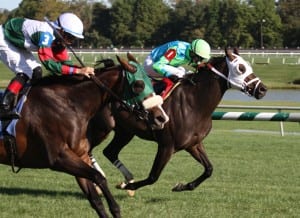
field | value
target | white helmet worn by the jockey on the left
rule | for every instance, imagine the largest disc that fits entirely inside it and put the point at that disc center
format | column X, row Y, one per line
column 71, row 24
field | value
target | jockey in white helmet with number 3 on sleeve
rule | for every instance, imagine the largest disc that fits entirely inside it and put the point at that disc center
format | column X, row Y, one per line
column 19, row 37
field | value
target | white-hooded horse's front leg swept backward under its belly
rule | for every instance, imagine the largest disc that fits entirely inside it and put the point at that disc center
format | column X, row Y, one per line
column 162, row 157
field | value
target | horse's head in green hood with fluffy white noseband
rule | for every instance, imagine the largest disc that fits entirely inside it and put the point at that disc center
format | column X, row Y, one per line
column 140, row 90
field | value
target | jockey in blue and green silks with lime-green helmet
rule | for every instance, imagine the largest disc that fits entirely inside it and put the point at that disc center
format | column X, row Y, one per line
column 165, row 62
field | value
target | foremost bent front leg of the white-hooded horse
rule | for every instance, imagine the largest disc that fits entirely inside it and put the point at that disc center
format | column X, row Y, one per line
column 198, row 152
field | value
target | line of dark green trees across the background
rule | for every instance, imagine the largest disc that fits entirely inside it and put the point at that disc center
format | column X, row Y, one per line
column 251, row 24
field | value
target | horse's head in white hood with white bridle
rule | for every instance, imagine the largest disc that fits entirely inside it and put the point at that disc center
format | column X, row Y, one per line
column 241, row 75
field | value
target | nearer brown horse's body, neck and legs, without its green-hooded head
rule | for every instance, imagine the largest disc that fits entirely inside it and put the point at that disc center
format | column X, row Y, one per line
column 52, row 130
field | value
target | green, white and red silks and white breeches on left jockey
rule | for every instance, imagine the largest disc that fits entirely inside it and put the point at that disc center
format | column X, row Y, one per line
column 23, row 36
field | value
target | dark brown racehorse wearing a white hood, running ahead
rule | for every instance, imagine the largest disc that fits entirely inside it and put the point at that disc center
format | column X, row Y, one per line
column 189, row 107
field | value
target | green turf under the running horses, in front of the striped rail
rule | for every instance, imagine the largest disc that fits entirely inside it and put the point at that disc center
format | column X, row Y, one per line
column 255, row 175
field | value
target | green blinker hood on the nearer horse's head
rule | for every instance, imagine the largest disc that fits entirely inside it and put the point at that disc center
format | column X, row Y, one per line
column 139, row 85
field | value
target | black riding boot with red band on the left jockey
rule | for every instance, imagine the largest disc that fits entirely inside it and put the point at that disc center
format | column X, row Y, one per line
column 9, row 98
